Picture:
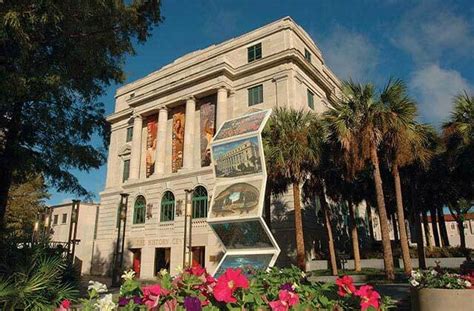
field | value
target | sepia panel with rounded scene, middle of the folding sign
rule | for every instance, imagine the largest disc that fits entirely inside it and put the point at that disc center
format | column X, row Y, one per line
column 236, row 200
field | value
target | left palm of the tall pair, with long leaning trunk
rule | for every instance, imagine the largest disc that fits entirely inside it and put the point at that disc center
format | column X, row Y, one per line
column 356, row 124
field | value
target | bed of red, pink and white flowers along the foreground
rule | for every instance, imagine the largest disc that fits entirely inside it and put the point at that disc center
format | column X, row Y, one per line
column 276, row 289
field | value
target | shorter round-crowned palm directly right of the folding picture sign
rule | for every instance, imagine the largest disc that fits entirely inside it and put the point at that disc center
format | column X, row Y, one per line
column 293, row 141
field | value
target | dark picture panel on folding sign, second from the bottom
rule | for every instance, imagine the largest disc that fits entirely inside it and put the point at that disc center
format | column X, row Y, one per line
column 242, row 234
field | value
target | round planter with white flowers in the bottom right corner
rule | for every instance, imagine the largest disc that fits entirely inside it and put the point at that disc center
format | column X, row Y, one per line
column 436, row 289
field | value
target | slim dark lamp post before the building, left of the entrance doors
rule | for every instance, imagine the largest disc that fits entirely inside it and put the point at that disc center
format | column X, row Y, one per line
column 120, row 244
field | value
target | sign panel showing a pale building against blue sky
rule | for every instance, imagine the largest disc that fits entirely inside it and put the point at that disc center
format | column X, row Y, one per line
column 237, row 158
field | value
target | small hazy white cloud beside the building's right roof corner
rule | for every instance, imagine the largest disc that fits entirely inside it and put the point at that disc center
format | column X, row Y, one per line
column 350, row 54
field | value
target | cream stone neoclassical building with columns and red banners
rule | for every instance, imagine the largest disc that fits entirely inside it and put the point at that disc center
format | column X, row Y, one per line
column 162, row 126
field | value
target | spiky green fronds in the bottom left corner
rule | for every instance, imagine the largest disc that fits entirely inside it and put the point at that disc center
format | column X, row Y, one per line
column 37, row 280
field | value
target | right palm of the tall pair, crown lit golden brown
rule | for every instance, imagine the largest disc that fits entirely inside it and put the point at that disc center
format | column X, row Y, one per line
column 405, row 141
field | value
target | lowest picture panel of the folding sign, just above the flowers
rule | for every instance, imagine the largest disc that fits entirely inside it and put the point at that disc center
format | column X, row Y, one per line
column 245, row 262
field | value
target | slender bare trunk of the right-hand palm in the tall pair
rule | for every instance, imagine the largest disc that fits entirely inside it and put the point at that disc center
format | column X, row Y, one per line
column 401, row 221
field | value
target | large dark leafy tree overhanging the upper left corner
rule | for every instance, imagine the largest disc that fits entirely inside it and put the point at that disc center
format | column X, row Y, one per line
column 56, row 58
